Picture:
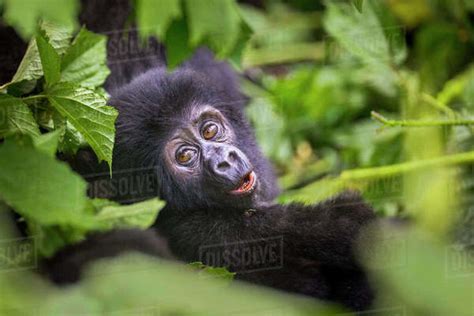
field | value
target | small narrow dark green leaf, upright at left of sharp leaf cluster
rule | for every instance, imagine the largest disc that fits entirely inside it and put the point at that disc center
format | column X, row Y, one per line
column 50, row 60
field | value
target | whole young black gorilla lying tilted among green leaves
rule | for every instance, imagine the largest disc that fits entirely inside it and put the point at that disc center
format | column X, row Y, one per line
column 190, row 126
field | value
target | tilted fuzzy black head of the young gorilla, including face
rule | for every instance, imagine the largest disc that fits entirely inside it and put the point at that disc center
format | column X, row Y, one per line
column 193, row 130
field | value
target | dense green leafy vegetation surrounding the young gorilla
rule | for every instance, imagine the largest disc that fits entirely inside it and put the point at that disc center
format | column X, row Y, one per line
column 372, row 95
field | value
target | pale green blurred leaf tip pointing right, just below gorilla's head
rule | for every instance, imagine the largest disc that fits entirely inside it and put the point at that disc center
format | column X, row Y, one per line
column 141, row 215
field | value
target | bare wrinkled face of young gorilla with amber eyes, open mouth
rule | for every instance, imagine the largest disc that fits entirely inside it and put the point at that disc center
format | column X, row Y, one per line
column 203, row 154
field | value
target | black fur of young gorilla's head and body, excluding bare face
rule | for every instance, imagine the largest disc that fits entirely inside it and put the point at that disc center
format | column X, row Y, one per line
column 316, row 242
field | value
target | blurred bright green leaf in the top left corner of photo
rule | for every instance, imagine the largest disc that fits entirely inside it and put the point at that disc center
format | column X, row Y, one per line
column 24, row 15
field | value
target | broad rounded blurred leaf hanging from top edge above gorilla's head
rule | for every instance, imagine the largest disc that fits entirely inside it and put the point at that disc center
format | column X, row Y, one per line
column 216, row 22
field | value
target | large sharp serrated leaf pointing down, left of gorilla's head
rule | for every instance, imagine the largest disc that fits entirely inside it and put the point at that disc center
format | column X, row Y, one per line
column 88, row 113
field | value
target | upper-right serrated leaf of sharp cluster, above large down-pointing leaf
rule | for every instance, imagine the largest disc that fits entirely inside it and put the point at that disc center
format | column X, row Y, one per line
column 84, row 63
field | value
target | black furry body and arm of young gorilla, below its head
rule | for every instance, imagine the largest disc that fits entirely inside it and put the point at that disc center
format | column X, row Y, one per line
column 316, row 244
